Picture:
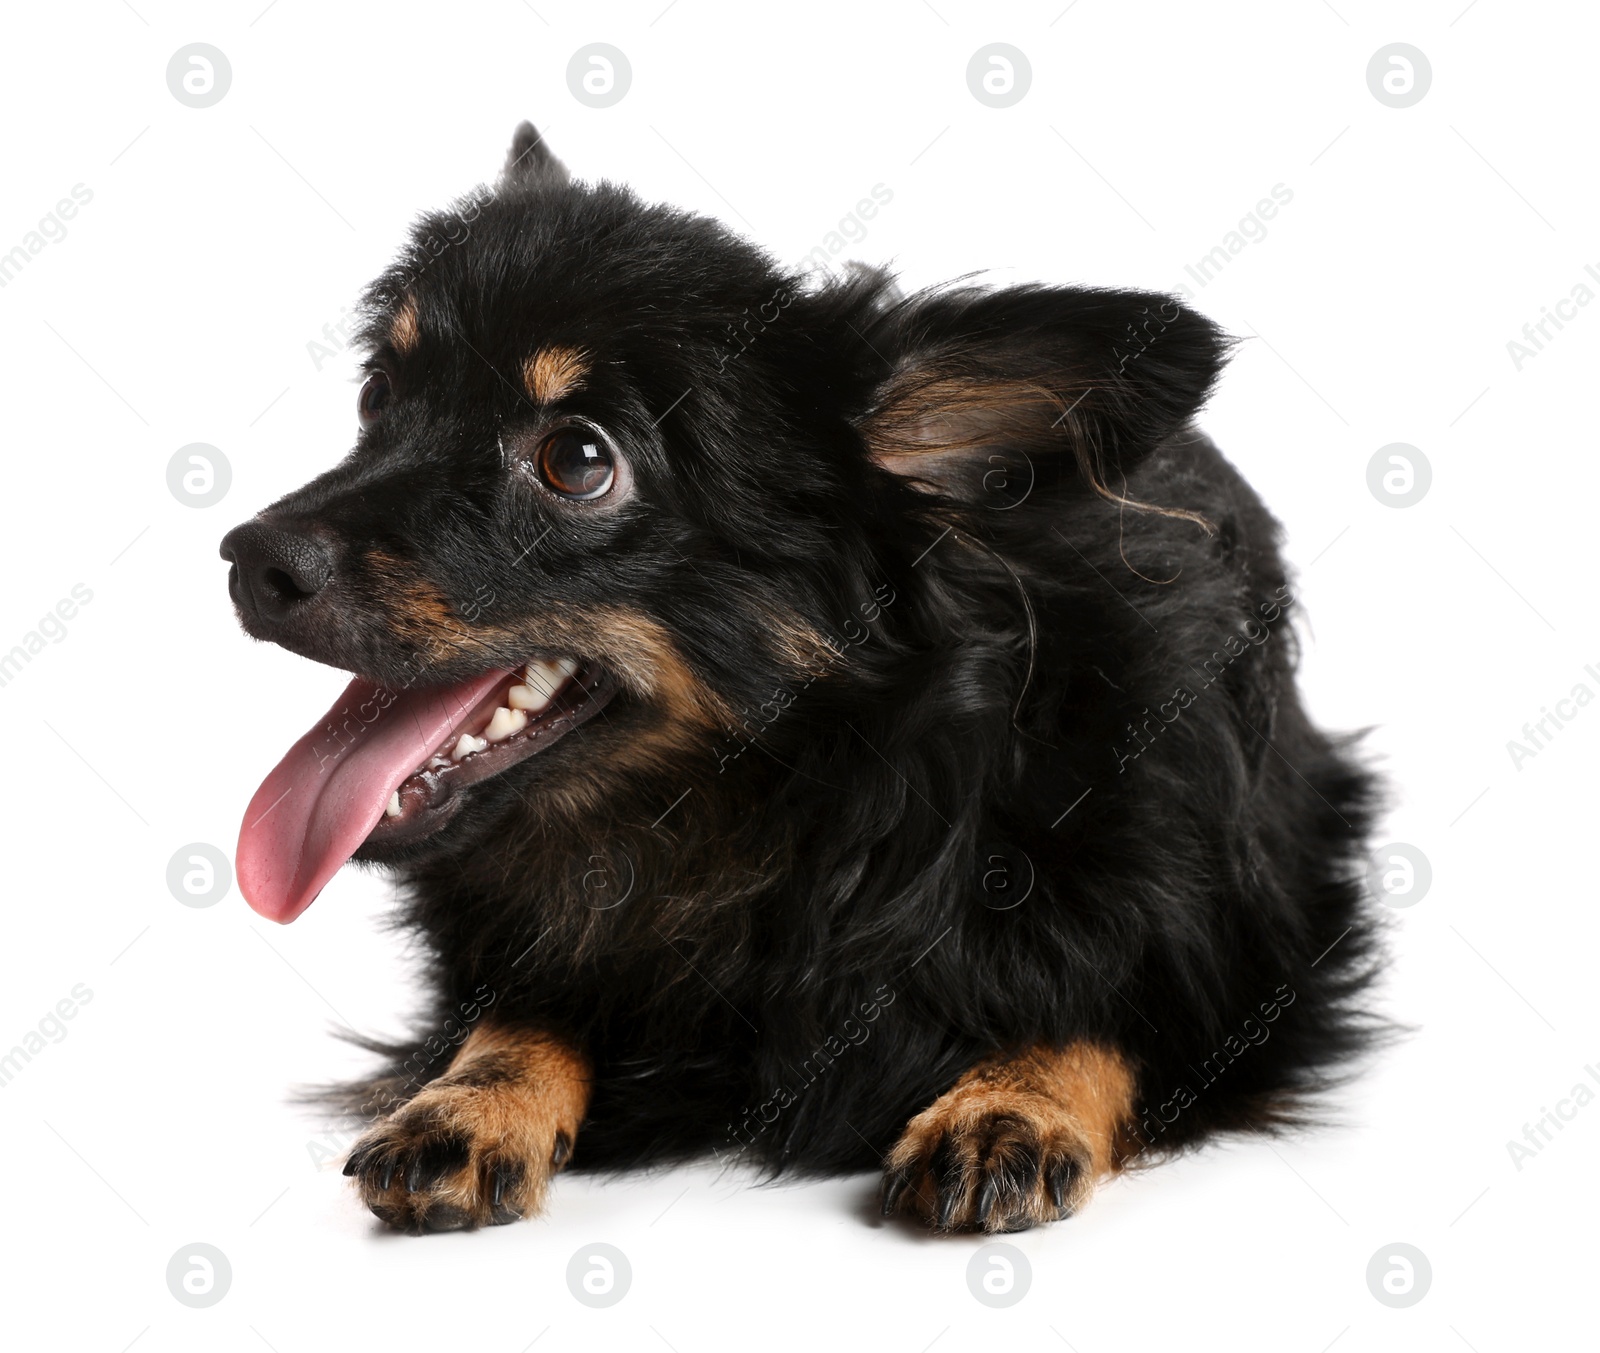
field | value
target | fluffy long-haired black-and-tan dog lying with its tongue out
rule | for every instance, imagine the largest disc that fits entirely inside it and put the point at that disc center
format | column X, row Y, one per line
column 810, row 725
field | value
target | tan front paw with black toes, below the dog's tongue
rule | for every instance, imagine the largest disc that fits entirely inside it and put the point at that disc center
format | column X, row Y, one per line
column 479, row 1144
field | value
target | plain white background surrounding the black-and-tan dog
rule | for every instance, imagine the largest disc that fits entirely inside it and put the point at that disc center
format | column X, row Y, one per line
column 1378, row 309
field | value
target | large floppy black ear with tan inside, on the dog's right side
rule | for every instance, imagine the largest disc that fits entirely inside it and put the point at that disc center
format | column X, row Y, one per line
column 1098, row 377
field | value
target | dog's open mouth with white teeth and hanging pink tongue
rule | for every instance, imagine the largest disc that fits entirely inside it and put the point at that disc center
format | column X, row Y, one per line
column 388, row 768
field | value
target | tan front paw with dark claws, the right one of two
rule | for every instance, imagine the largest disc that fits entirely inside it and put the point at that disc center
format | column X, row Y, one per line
column 1017, row 1141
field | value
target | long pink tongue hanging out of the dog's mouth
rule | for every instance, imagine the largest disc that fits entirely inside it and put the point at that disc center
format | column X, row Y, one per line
column 329, row 792
